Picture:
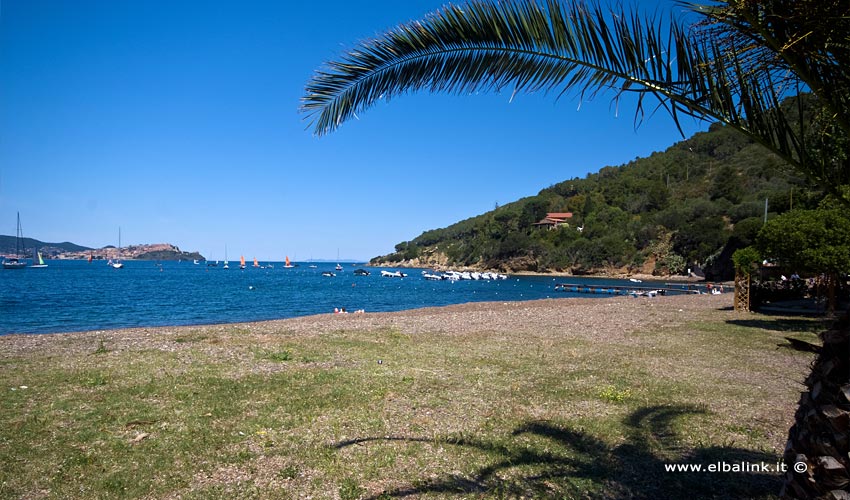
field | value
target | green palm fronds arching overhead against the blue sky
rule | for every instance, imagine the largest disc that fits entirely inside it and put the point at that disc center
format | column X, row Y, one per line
column 724, row 69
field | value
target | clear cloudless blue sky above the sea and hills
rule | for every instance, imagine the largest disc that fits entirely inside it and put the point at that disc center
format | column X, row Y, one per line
column 178, row 121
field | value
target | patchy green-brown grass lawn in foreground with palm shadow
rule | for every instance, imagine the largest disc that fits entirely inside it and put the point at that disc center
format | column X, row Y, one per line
column 380, row 413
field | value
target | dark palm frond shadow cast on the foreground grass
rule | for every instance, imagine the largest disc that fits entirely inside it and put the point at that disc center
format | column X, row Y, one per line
column 572, row 459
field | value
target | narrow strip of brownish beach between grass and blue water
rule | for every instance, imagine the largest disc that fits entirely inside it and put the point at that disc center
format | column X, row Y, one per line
column 604, row 318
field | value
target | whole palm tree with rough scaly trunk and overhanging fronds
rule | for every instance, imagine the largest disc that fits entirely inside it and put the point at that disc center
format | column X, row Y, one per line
column 736, row 66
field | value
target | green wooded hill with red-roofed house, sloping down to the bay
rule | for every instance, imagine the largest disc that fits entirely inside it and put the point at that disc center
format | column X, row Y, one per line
column 690, row 206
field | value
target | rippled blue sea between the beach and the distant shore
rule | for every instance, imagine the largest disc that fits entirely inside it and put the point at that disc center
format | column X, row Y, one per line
column 75, row 295
